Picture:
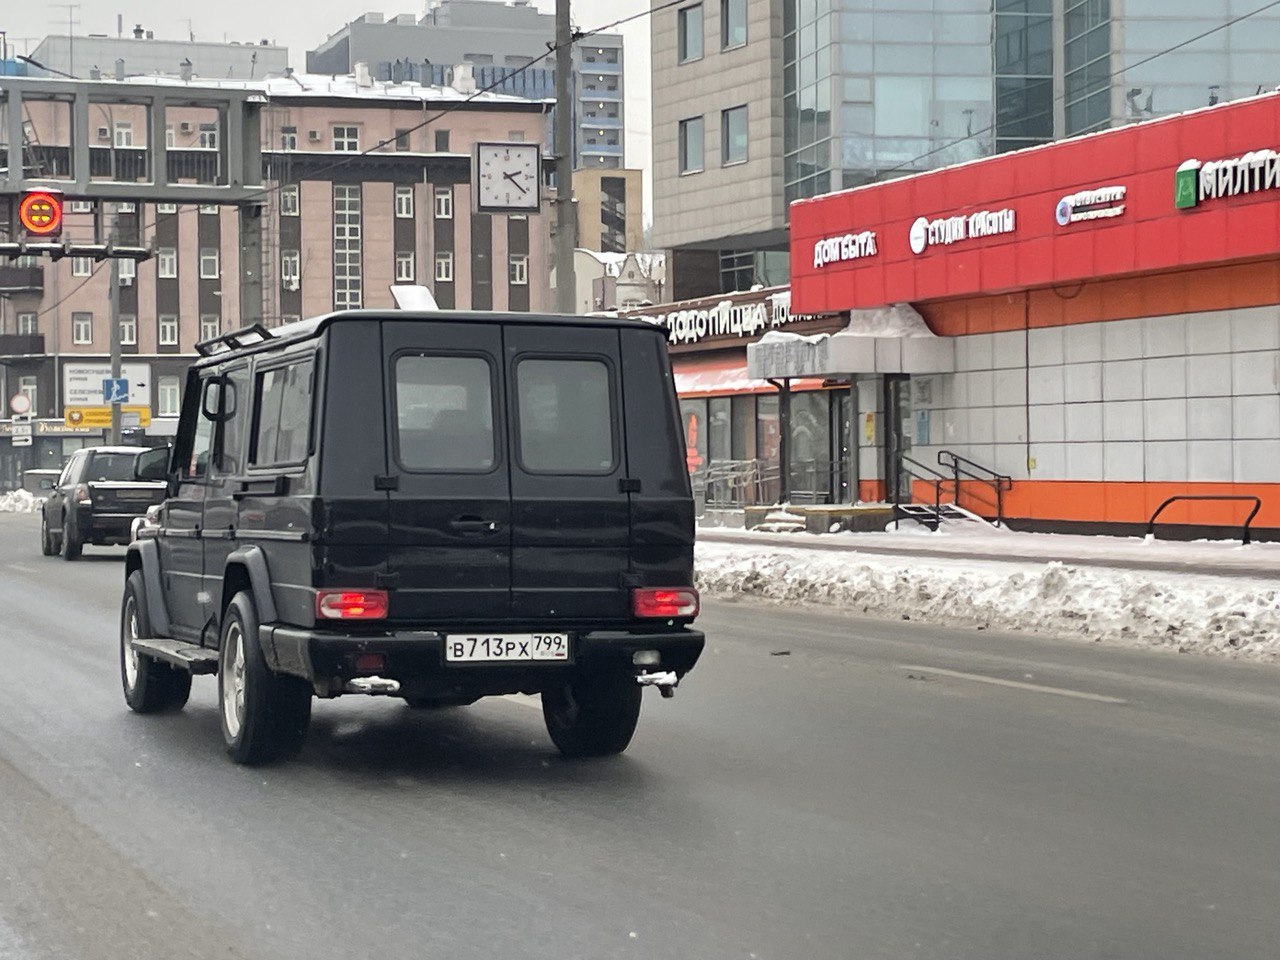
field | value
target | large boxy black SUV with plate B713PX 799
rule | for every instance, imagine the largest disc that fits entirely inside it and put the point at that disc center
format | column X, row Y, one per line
column 432, row 506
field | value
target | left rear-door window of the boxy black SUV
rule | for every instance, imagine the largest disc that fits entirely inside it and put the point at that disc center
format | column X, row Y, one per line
column 445, row 413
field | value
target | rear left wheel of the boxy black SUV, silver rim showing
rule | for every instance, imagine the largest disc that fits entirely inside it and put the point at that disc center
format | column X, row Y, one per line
column 264, row 717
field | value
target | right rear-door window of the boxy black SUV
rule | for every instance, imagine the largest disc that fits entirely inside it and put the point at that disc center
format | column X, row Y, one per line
column 566, row 417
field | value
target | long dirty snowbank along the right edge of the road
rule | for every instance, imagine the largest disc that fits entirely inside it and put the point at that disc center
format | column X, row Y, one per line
column 1233, row 616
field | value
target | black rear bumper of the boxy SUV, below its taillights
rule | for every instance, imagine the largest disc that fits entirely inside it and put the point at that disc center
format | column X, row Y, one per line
column 417, row 660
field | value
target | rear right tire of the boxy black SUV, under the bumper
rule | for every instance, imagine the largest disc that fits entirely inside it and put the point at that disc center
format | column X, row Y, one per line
column 593, row 715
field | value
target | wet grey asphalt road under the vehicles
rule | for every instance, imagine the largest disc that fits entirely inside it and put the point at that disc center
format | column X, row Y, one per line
column 821, row 788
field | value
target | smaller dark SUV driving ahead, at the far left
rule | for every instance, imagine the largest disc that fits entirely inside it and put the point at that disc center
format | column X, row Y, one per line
column 100, row 493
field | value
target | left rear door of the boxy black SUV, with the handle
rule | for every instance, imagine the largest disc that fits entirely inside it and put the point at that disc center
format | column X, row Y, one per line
column 450, row 495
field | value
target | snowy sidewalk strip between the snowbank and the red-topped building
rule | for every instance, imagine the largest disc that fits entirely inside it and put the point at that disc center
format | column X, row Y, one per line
column 971, row 542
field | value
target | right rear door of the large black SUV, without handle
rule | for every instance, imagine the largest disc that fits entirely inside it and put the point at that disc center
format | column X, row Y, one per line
column 572, row 516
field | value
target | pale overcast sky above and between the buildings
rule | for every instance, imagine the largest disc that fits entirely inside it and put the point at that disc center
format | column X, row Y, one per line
column 303, row 25
